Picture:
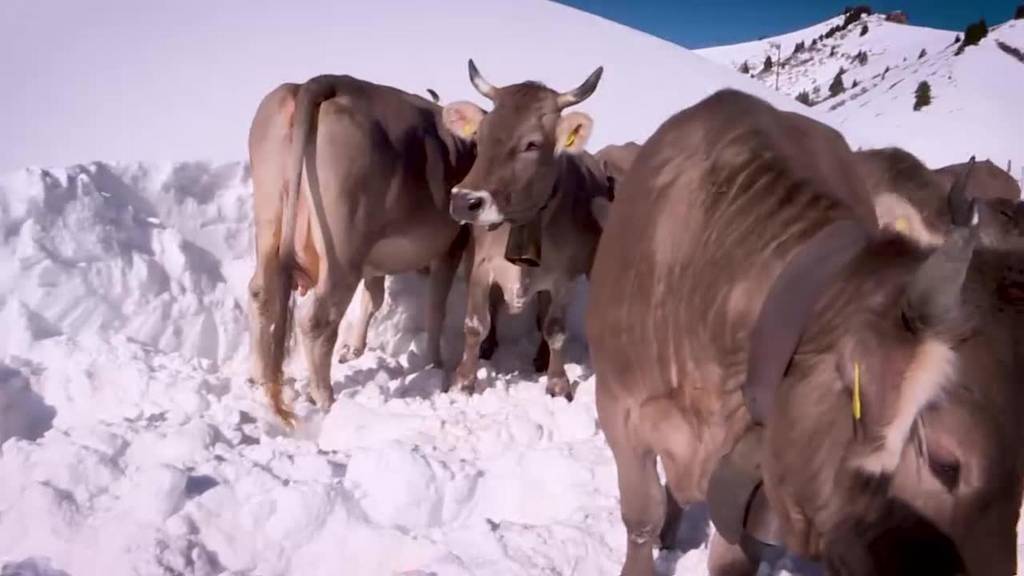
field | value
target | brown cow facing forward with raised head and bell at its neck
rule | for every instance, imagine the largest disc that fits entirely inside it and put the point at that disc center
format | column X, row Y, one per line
column 532, row 174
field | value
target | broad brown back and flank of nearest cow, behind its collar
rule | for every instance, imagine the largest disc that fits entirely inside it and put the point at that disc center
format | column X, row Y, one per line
column 719, row 199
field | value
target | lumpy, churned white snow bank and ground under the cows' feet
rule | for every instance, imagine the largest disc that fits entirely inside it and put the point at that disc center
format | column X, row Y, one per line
column 135, row 445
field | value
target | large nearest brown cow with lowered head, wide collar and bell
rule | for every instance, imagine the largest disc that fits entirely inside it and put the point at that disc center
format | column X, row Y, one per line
column 745, row 292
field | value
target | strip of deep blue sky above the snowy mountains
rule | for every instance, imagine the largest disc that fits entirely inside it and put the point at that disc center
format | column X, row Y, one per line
column 697, row 24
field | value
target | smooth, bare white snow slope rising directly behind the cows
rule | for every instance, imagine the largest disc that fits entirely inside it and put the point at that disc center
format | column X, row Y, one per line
column 117, row 80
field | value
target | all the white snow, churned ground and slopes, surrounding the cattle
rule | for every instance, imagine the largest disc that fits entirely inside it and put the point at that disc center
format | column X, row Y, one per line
column 131, row 441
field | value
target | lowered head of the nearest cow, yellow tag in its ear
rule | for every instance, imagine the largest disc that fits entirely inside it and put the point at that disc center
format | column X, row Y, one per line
column 926, row 417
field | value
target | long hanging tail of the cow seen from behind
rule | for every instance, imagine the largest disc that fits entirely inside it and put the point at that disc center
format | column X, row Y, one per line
column 302, row 148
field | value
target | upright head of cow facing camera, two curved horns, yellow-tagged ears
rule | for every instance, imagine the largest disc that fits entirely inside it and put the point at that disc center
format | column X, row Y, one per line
column 518, row 147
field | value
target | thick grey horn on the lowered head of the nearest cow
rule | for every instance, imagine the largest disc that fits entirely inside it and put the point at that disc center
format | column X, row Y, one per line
column 933, row 299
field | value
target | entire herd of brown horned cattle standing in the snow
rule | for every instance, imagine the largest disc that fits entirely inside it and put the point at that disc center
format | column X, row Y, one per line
column 824, row 345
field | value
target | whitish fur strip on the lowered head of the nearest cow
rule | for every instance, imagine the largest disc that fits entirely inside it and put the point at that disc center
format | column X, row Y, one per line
column 932, row 369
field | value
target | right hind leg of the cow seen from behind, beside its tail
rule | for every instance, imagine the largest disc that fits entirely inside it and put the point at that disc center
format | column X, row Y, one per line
column 318, row 323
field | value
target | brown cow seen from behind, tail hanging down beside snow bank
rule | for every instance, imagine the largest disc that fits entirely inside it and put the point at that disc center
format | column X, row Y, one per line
column 352, row 181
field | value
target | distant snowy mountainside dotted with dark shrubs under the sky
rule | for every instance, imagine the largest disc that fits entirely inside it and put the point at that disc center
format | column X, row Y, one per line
column 976, row 96
